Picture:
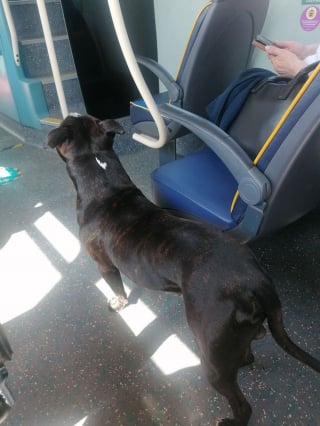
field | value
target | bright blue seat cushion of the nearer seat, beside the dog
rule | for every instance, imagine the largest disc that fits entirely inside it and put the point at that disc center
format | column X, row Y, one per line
column 198, row 184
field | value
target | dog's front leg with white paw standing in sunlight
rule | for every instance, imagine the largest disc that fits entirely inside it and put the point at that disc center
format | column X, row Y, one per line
column 112, row 277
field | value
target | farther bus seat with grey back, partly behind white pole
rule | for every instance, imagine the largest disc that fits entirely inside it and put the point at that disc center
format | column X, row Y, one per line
column 218, row 49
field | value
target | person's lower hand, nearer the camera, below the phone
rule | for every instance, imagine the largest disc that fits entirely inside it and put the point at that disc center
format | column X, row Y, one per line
column 284, row 61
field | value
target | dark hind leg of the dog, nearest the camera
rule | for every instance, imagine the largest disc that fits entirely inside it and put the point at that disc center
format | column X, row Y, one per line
column 224, row 348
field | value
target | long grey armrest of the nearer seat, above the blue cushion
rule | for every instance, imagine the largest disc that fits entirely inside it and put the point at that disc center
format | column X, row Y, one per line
column 254, row 187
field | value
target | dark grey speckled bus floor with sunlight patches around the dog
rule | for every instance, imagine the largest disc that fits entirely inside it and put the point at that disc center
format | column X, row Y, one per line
column 76, row 363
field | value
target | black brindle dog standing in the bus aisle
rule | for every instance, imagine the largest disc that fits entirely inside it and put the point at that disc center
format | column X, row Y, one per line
column 227, row 296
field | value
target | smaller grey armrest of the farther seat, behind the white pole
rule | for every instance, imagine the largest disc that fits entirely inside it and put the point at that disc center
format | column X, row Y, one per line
column 173, row 88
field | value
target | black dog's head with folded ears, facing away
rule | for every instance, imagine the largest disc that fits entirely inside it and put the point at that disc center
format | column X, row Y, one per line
column 80, row 135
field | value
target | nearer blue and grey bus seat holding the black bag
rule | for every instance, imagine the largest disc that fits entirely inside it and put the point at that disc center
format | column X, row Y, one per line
column 223, row 185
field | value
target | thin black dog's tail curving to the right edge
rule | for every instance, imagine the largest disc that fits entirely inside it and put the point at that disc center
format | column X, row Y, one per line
column 273, row 312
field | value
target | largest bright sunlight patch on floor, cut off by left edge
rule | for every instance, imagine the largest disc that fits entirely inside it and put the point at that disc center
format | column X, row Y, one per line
column 27, row 275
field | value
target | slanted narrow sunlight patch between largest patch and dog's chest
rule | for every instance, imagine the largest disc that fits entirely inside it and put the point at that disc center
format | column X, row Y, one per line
column 59, row 236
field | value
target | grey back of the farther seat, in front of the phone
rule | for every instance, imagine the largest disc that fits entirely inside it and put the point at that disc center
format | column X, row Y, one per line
column 219, row 49
